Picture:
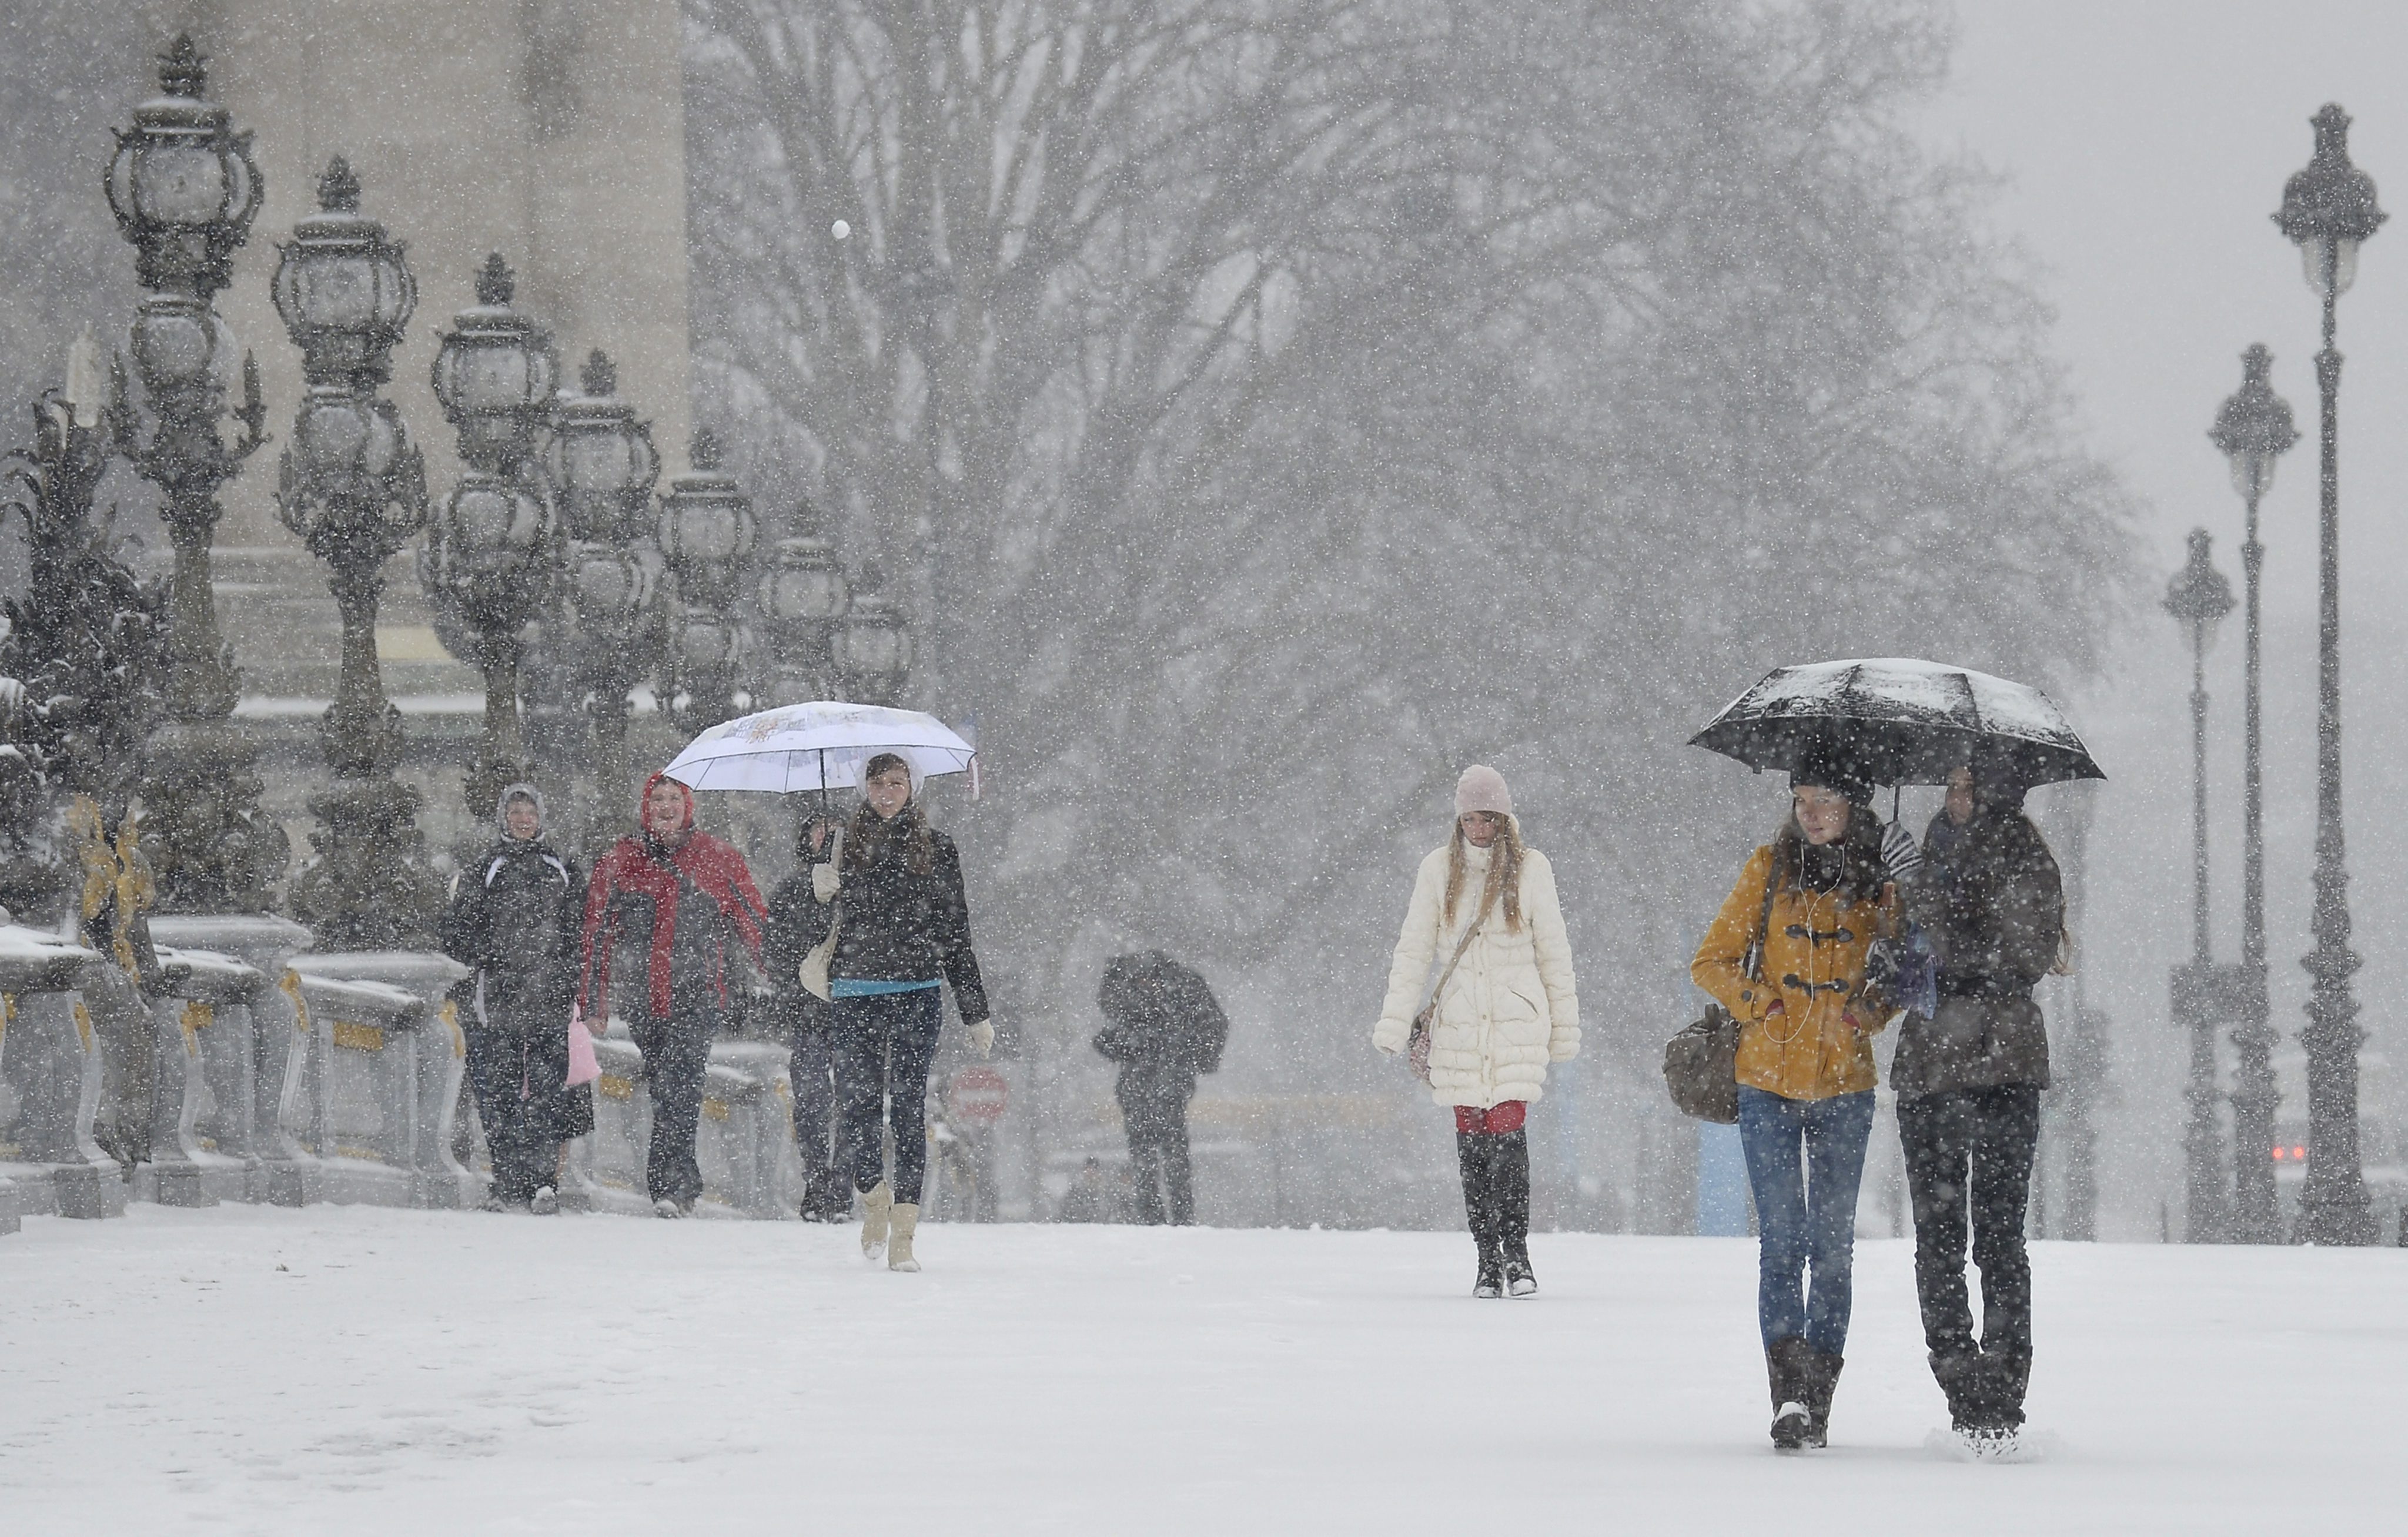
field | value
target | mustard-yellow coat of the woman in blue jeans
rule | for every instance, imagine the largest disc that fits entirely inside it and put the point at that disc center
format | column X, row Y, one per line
column 1822, row 1042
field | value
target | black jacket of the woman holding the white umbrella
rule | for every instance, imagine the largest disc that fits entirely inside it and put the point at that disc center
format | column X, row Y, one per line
column 904, row 926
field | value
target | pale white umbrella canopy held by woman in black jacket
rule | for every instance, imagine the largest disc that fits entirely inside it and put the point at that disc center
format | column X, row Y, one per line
column 818, row 748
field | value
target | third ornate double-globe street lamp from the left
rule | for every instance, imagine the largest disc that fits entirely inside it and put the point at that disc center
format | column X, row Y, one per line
column 488, row 560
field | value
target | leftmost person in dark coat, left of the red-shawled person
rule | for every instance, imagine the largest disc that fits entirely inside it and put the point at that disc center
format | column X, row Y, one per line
column 514, row 924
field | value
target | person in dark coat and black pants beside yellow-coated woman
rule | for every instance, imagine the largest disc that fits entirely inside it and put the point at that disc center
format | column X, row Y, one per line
column 1969, row 1088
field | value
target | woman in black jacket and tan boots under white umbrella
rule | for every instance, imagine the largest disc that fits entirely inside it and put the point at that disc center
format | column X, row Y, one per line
column 902, row 934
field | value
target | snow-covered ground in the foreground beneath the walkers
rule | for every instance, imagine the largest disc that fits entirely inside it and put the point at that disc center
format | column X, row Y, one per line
column 350, row 1370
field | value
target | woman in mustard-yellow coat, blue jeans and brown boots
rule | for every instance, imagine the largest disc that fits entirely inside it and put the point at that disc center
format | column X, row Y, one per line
column 1788, row 960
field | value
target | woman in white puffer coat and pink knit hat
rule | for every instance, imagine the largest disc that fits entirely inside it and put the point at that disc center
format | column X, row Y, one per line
column 1485, row 912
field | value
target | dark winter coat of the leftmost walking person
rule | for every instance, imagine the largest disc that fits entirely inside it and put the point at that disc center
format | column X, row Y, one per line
column 514, row 921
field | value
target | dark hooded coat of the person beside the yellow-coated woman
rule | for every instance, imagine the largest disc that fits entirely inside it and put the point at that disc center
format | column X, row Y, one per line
column 1993, row 907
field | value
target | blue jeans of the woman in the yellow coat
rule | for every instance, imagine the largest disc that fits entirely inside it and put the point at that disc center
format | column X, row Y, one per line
column 1805, row 1165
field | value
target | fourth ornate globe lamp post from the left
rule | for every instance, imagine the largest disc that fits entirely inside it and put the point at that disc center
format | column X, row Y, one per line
column 603, row 469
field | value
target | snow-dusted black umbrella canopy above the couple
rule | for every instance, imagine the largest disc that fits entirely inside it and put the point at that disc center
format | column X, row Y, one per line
column 1901, row 719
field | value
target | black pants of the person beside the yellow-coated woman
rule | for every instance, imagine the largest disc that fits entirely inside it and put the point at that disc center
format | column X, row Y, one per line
column 1971, row 1155
